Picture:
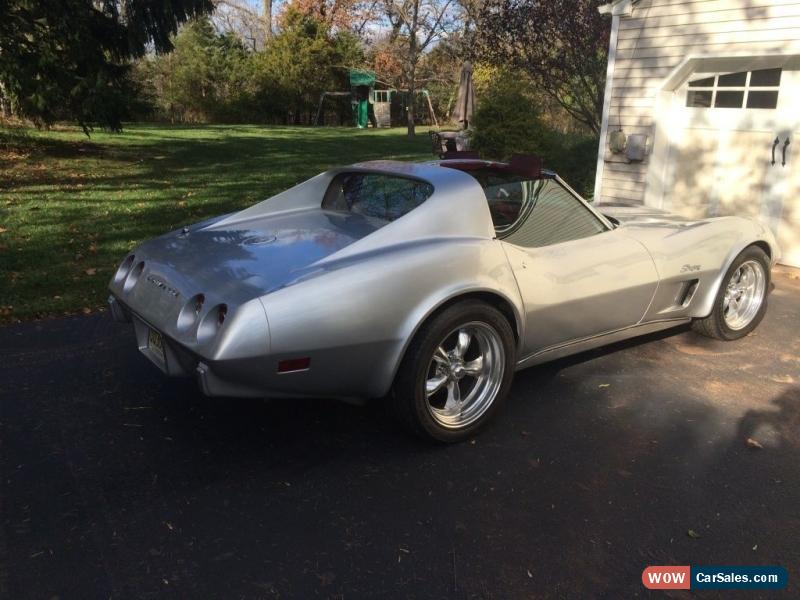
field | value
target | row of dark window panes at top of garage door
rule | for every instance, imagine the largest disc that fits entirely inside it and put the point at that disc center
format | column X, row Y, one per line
column 744, row 89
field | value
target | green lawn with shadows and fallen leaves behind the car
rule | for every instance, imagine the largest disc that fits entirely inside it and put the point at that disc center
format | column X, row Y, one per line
column 71, row 207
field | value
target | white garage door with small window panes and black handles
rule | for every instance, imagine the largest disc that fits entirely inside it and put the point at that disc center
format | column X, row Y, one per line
column 735, row 150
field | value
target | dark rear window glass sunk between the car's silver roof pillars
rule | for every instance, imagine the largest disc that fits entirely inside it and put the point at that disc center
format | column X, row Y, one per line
column 375, row 195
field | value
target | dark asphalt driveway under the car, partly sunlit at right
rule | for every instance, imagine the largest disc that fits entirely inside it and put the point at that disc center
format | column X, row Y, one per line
column 119, row 483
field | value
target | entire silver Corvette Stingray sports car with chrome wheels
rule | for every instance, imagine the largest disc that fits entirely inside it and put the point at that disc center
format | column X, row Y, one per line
column 428, row 285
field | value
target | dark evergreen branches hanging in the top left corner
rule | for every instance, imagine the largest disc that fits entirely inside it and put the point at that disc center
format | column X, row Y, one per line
column 71, row 59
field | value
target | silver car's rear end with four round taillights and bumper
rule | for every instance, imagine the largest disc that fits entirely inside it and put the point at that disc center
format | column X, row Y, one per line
column 189, row 329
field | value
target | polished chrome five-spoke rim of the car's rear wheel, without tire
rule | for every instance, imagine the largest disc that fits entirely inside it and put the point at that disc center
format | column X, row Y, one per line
column 464, row 375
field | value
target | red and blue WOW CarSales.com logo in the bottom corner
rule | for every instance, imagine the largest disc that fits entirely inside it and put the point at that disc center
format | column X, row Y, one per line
column 714, row 577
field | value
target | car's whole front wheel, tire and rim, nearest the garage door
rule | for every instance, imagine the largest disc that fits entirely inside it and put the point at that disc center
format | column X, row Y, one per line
column 741, row 300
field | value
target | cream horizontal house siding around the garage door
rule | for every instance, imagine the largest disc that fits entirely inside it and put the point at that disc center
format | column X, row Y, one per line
column 657, row 37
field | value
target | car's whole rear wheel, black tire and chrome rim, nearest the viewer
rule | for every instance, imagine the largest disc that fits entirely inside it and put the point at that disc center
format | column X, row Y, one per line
column 456, row 373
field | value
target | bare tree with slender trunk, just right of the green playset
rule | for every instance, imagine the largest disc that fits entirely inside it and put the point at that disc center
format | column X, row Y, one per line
column 419, row 24
